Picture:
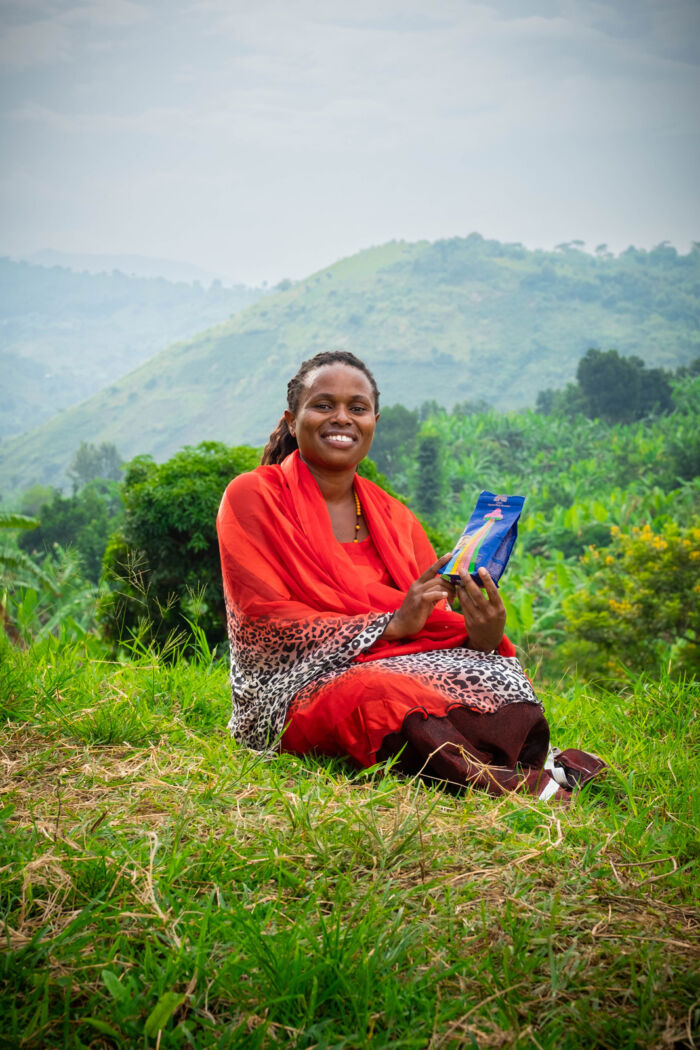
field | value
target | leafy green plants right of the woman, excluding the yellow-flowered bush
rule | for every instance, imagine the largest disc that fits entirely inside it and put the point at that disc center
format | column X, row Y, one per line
column 581, row 478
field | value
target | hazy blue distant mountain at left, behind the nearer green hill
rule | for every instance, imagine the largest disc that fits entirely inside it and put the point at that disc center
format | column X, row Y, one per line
column 66, row 335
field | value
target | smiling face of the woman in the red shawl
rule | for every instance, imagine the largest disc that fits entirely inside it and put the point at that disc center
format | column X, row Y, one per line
column 335, row 422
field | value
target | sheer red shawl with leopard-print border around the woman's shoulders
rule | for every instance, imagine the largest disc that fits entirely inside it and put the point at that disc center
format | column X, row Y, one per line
column 295, row 604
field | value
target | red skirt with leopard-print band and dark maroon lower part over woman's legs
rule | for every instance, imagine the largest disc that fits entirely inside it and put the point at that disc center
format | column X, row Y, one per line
column 454, row 716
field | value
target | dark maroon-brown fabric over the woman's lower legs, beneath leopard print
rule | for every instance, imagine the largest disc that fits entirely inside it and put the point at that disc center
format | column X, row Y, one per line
column 501, row 752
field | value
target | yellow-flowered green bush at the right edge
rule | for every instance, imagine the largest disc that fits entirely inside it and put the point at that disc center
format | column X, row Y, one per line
column 642, row 607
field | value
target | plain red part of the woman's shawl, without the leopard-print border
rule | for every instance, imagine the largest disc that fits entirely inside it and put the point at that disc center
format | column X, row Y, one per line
column 282, row 562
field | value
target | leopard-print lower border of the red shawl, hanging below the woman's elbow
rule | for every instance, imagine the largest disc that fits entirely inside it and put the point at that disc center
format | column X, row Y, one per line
column 273, row 661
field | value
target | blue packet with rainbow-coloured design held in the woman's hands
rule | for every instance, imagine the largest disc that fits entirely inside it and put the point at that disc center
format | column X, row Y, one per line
column 489, row 539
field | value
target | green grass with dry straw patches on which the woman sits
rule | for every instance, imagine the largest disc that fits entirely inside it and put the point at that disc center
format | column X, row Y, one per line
column 161, row 888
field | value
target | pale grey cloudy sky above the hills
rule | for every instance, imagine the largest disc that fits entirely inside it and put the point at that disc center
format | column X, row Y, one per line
column 268, row 139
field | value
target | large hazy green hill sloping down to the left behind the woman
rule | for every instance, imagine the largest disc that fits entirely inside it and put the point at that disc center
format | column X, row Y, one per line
column 458, row 321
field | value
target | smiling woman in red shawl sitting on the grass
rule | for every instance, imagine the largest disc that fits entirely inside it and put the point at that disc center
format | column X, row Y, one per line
column 343, row 637
